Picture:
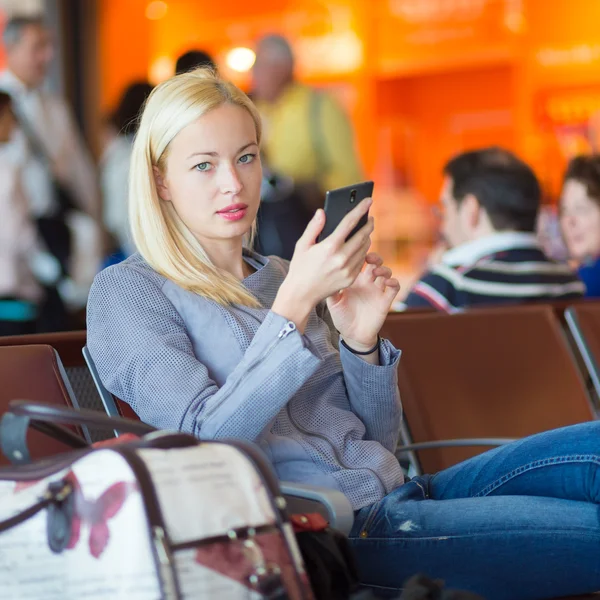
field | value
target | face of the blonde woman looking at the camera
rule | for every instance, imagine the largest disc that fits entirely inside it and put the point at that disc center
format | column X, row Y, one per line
column 213, row 175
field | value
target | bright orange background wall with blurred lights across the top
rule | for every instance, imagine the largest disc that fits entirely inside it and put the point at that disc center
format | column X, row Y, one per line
column 433, row 77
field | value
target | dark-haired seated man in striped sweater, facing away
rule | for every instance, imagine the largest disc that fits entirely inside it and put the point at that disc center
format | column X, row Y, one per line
column 490, row 202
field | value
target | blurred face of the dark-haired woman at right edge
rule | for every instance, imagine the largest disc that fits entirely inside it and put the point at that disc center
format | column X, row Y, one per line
column 580, row 221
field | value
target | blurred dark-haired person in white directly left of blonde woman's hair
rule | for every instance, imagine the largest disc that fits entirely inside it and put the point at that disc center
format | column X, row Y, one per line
column 114, row 166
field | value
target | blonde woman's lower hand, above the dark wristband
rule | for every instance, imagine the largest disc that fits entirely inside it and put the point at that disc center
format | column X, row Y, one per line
column 359, row 311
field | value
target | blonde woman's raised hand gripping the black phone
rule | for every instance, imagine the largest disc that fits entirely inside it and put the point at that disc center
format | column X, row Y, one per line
column 318, row 270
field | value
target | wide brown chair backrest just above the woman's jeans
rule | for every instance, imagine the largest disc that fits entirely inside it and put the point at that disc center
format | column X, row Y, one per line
column 502, row 372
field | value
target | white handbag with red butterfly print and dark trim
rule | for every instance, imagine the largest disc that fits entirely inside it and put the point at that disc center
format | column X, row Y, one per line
column 162, row 516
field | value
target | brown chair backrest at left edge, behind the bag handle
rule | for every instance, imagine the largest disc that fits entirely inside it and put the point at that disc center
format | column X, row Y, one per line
column 35, row 372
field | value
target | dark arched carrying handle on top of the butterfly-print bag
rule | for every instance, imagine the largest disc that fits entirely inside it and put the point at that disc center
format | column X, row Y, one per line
column 50, row 419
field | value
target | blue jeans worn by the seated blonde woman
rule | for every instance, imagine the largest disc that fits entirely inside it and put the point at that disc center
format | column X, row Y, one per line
column 520, row 522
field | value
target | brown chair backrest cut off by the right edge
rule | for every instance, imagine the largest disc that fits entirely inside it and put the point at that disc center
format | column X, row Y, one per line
column 584, row 324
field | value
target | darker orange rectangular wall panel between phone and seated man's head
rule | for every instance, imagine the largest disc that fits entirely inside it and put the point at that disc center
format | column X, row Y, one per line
column 439, row 114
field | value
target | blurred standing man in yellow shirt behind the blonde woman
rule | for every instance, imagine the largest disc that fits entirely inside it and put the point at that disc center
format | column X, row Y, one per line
column 308, row 148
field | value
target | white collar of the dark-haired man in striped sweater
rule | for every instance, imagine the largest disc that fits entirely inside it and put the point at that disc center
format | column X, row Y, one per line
column 471, row 252
